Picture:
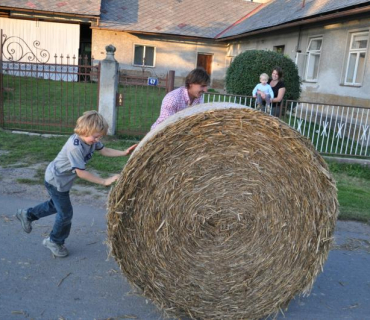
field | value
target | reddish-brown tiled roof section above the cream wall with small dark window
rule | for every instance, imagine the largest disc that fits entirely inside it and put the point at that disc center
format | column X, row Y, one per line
column 206, row 18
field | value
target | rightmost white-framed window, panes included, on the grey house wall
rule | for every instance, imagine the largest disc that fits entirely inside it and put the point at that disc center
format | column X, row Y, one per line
column 356, row 58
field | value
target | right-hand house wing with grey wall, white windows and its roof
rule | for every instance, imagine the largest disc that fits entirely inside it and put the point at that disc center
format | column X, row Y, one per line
column 328, row 40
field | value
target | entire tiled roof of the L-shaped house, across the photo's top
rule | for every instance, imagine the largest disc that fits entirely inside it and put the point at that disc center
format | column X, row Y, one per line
column 205, row 19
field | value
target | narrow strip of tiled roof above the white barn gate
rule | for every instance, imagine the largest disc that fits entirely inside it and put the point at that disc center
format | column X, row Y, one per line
column 79, row 7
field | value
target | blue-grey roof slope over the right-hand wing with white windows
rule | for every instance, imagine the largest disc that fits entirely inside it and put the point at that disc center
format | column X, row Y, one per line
column 277, row 12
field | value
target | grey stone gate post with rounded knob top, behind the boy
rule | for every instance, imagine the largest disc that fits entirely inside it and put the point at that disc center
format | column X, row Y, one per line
column 108, row 88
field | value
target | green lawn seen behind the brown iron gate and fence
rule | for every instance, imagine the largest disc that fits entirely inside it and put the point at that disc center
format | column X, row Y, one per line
column 39, row 105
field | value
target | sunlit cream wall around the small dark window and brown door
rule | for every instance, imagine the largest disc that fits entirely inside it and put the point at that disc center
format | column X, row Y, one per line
column 171, row 54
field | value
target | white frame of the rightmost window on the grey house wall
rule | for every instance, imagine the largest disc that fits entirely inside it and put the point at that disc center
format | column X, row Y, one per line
column 350, row 51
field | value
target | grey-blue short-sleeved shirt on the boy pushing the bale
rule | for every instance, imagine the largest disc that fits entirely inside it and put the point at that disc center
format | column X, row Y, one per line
column 74, row 155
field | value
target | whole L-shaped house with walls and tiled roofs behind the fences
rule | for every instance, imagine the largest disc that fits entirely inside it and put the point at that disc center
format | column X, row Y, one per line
column 328, row 39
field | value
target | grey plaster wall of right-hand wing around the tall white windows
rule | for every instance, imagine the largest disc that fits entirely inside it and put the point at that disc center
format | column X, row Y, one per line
column 329, row 87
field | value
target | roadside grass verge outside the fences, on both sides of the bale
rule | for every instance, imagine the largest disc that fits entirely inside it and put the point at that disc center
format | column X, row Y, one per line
column 353, row 181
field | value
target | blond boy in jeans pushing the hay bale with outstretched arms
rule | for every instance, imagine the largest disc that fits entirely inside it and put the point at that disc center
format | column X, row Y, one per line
column 60, row 174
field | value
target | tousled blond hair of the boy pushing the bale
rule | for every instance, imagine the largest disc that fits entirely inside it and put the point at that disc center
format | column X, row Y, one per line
column 91, row 122
